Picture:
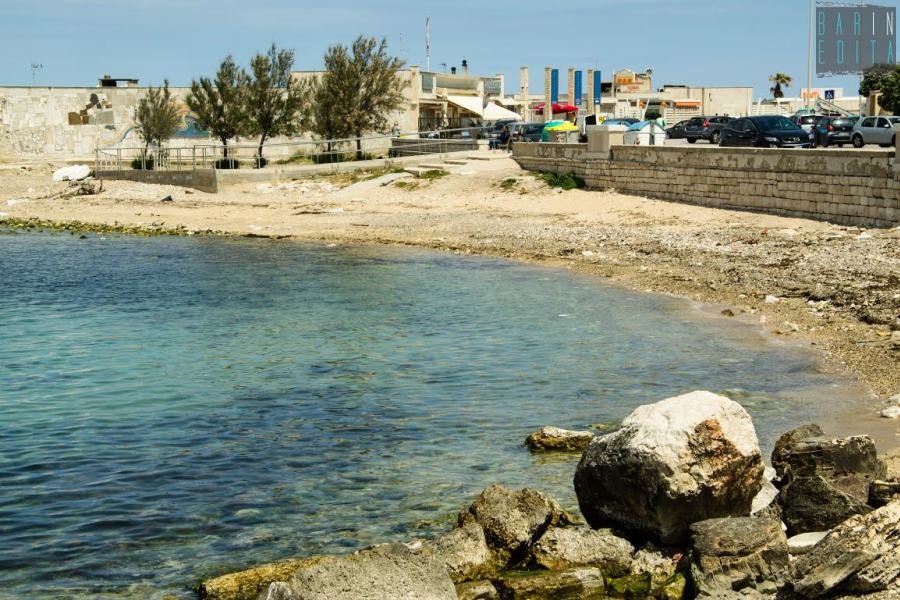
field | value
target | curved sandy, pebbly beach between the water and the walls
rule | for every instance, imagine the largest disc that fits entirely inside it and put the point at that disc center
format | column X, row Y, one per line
column 811, row 283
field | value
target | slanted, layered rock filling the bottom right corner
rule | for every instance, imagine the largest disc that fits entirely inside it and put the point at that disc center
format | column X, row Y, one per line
column 862, row 555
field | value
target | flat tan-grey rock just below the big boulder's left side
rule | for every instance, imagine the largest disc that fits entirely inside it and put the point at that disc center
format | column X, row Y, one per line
column 566, row 547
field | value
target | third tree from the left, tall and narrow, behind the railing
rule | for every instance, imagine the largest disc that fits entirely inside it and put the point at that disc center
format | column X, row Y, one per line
column 272, row 98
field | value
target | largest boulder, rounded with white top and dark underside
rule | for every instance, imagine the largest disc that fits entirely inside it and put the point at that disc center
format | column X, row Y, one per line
column 681, row 460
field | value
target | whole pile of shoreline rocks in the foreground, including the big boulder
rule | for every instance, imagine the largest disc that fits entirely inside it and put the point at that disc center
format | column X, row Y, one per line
column 678, row 504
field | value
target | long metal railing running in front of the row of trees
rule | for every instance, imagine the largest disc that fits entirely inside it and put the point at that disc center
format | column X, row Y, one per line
column 300, row 152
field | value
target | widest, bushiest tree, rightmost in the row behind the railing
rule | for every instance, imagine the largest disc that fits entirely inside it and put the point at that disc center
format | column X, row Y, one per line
column 358, row 91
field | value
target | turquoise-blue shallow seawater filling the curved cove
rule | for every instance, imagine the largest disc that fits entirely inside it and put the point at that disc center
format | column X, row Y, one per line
column 172, row 408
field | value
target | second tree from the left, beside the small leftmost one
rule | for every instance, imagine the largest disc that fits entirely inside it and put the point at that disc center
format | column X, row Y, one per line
column 219, row 104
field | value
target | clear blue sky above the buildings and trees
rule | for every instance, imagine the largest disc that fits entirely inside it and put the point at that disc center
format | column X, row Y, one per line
column 698, row 42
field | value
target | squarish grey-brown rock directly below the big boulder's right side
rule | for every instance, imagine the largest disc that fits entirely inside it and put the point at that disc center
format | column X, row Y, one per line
column 733, row 555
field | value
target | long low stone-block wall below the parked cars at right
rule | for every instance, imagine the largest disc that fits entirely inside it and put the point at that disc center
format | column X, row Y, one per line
column 849, row 188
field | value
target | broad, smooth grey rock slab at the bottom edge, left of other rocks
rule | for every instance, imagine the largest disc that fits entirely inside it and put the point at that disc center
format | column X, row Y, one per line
column 391, row 572
